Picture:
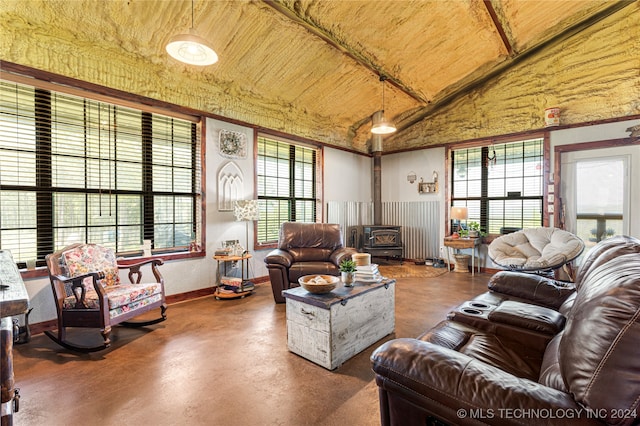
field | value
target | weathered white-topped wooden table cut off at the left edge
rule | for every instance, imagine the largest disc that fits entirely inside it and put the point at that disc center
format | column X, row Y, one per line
column 14, row 300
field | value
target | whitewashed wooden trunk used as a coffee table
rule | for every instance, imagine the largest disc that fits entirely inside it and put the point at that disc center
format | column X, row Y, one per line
column 328, row 329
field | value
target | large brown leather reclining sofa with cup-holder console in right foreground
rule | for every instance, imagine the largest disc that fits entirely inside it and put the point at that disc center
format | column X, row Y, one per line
column 572, row 361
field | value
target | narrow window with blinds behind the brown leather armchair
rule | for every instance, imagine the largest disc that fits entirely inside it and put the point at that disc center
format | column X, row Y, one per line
column 287, row 186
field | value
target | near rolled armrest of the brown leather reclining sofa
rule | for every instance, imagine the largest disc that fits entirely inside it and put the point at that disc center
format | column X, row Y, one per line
column 455, row 387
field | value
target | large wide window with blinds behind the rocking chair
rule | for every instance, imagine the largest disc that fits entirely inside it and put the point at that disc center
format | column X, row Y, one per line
column 74, row 169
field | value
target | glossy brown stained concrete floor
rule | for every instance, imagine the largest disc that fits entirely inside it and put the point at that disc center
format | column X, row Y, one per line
column 218, row 362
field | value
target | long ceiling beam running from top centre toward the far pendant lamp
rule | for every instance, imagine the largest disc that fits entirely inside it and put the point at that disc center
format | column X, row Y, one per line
column 358, row 57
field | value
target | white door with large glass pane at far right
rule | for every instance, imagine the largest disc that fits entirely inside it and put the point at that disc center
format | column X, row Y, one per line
column 595, row 193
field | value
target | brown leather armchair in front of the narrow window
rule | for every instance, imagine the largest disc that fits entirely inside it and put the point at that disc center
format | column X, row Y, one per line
column 303, row 249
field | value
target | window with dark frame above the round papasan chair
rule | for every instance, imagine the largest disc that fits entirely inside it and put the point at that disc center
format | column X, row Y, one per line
column 501, row 185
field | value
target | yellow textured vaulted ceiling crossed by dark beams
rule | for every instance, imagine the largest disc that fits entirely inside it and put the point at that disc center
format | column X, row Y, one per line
column 319, row 62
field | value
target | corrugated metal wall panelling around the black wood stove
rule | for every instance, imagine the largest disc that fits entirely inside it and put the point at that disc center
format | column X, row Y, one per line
column 420, row 221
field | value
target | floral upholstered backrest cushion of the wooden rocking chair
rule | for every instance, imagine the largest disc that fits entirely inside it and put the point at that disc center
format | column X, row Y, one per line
column 92, row 258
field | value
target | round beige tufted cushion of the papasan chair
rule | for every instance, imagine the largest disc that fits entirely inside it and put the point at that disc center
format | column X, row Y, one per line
column 535, row 249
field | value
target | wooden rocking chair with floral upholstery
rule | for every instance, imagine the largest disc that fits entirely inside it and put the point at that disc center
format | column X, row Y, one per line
column 88, row 293
